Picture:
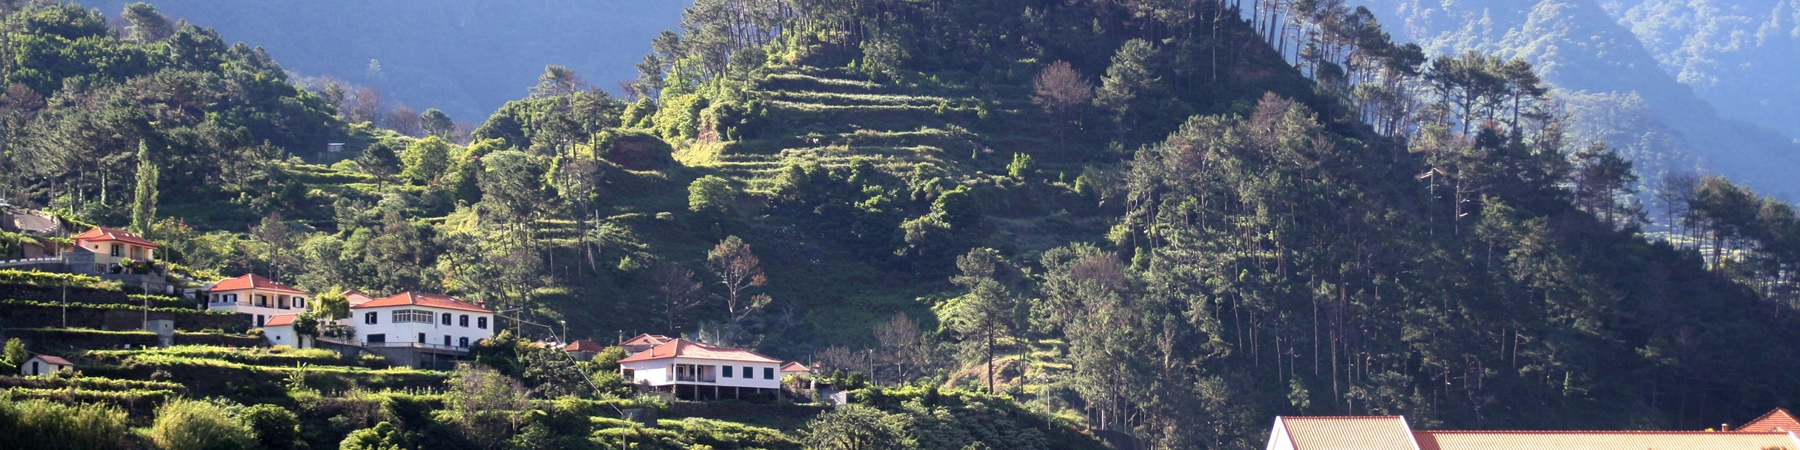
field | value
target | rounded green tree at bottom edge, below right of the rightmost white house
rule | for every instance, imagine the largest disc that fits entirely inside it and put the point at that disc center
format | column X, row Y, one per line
column 858, row 427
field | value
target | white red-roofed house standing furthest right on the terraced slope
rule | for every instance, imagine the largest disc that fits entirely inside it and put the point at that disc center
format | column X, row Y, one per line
column 701, row 372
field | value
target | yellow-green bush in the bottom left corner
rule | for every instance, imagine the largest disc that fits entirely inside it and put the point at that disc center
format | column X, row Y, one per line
column 40, row 424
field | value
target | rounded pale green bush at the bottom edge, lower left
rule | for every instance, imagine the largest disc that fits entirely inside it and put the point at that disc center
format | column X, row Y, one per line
column 199, row 426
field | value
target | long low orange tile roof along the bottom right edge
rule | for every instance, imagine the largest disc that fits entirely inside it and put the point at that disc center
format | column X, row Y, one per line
column 1536, row 440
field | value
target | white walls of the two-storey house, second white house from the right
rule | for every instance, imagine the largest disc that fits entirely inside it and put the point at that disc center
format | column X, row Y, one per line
column 465, row 328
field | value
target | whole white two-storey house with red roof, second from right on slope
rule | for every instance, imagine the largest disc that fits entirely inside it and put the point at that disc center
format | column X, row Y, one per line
column 429, row 321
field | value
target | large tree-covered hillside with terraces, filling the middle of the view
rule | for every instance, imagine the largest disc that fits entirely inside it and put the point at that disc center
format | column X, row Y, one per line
column 1164, row 220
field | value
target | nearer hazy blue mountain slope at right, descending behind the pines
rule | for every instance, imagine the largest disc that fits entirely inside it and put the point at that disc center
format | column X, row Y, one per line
column 1615, row 87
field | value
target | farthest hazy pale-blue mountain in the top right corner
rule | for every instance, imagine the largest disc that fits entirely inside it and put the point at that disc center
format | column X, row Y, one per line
column 1740, row 55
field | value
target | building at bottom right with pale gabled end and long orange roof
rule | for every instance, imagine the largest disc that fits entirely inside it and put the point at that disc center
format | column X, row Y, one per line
column 1392, row 433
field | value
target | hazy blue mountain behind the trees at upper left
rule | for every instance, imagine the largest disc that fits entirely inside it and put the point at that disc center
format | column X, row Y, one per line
column 462, row 57
